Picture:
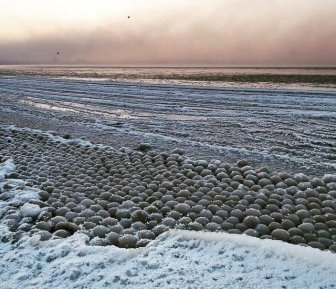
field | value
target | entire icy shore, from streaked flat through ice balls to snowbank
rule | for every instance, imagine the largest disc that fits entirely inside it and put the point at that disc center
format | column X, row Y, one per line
column 86, row 162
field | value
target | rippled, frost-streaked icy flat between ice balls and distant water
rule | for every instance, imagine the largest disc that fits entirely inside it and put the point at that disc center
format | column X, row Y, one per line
column 280, row 128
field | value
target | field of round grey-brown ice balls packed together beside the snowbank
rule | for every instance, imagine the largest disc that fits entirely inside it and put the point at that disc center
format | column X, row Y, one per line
column 129, row 197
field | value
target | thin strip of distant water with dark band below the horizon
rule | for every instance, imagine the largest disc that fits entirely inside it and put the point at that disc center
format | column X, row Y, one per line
column 310, row 78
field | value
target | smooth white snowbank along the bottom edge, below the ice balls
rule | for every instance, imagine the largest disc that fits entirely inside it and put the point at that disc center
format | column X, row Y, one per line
column 178, row 259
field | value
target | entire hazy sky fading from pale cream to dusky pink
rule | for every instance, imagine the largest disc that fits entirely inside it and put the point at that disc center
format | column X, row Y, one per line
column 169, row 32
